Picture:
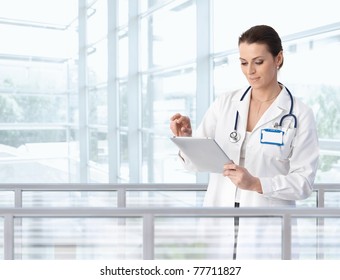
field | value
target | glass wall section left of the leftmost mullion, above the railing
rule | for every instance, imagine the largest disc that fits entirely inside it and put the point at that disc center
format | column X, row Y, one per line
column 38, row 92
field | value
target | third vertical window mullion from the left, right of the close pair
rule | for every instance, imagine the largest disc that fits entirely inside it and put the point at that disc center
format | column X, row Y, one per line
column 134, row 145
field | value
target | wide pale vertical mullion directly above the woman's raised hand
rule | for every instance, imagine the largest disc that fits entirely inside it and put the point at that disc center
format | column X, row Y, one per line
column 203, row 65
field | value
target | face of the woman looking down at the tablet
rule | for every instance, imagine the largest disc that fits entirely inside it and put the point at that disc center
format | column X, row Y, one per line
column 258, row 65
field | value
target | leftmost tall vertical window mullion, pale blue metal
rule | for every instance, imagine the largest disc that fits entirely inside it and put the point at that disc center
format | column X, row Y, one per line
column 82, row 80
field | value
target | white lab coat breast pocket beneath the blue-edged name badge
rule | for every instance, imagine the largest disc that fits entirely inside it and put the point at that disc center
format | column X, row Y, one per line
column 283, row 152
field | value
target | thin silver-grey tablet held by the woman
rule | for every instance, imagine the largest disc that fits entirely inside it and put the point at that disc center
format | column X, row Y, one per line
column 205, row 153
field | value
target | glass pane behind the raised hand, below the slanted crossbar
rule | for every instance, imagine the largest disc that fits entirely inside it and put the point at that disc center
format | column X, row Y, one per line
column 164, row 95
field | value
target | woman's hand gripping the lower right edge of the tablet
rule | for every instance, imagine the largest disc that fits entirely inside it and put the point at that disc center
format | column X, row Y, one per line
column 242, row 178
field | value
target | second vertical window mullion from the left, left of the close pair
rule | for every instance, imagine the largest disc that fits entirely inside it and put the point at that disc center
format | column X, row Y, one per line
column 112, row 88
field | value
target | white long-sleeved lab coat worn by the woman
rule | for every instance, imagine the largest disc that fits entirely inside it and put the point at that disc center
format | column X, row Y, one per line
column 286, row 172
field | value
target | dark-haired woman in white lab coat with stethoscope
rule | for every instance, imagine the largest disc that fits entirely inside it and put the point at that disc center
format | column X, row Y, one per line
column 268, row 133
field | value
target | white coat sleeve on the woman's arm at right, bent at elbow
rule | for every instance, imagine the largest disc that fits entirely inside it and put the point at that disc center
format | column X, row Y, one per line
column 298, row 183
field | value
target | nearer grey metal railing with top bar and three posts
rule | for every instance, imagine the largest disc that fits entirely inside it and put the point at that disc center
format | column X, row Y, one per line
column 149, row 214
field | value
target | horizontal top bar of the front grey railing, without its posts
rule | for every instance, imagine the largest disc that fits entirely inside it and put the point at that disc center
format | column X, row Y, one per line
column 164, row 212
